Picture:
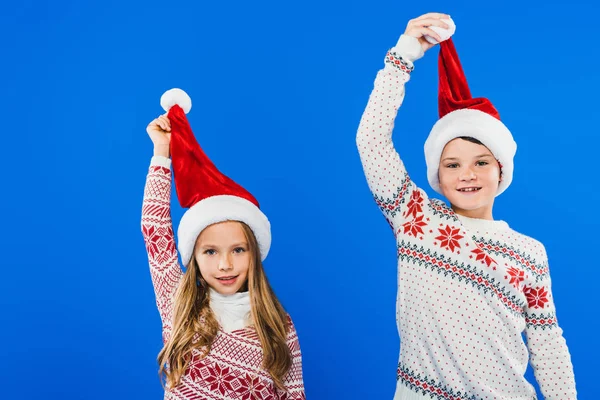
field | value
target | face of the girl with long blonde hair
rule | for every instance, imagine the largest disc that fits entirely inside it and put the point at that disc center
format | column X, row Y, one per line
column 223, row 257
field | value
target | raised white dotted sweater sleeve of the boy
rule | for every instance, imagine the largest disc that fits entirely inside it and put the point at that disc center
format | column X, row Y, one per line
column 386, row 175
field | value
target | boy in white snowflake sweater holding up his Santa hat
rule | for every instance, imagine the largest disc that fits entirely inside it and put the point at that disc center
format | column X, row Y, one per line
column 468, row 285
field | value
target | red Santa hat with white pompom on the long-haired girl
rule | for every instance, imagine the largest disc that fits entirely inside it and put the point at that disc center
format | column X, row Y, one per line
column 209, row 195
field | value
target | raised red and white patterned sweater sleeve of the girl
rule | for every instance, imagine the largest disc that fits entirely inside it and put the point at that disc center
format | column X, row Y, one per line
column 157, row 230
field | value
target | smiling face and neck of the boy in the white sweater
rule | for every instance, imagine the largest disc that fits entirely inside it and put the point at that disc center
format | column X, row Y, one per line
column 469, row 175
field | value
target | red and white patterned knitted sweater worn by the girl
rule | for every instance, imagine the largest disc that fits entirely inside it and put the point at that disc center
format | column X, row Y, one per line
column 233, row 367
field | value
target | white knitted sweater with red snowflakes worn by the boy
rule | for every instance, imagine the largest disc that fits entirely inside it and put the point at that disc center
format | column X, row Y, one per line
column 467, row 288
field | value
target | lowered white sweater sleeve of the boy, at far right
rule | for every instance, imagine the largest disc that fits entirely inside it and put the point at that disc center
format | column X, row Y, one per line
column 549, row 355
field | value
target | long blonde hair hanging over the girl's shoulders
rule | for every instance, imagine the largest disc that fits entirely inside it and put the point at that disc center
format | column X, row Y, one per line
column 195, row 325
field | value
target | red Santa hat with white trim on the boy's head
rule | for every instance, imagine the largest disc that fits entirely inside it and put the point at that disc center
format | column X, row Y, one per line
column 463, row 115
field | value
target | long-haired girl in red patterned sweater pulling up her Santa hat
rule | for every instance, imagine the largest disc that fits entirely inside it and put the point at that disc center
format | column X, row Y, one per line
column 225, row 334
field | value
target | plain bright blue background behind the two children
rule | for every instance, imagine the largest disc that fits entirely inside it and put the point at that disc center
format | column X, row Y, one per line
column 278, row 91
